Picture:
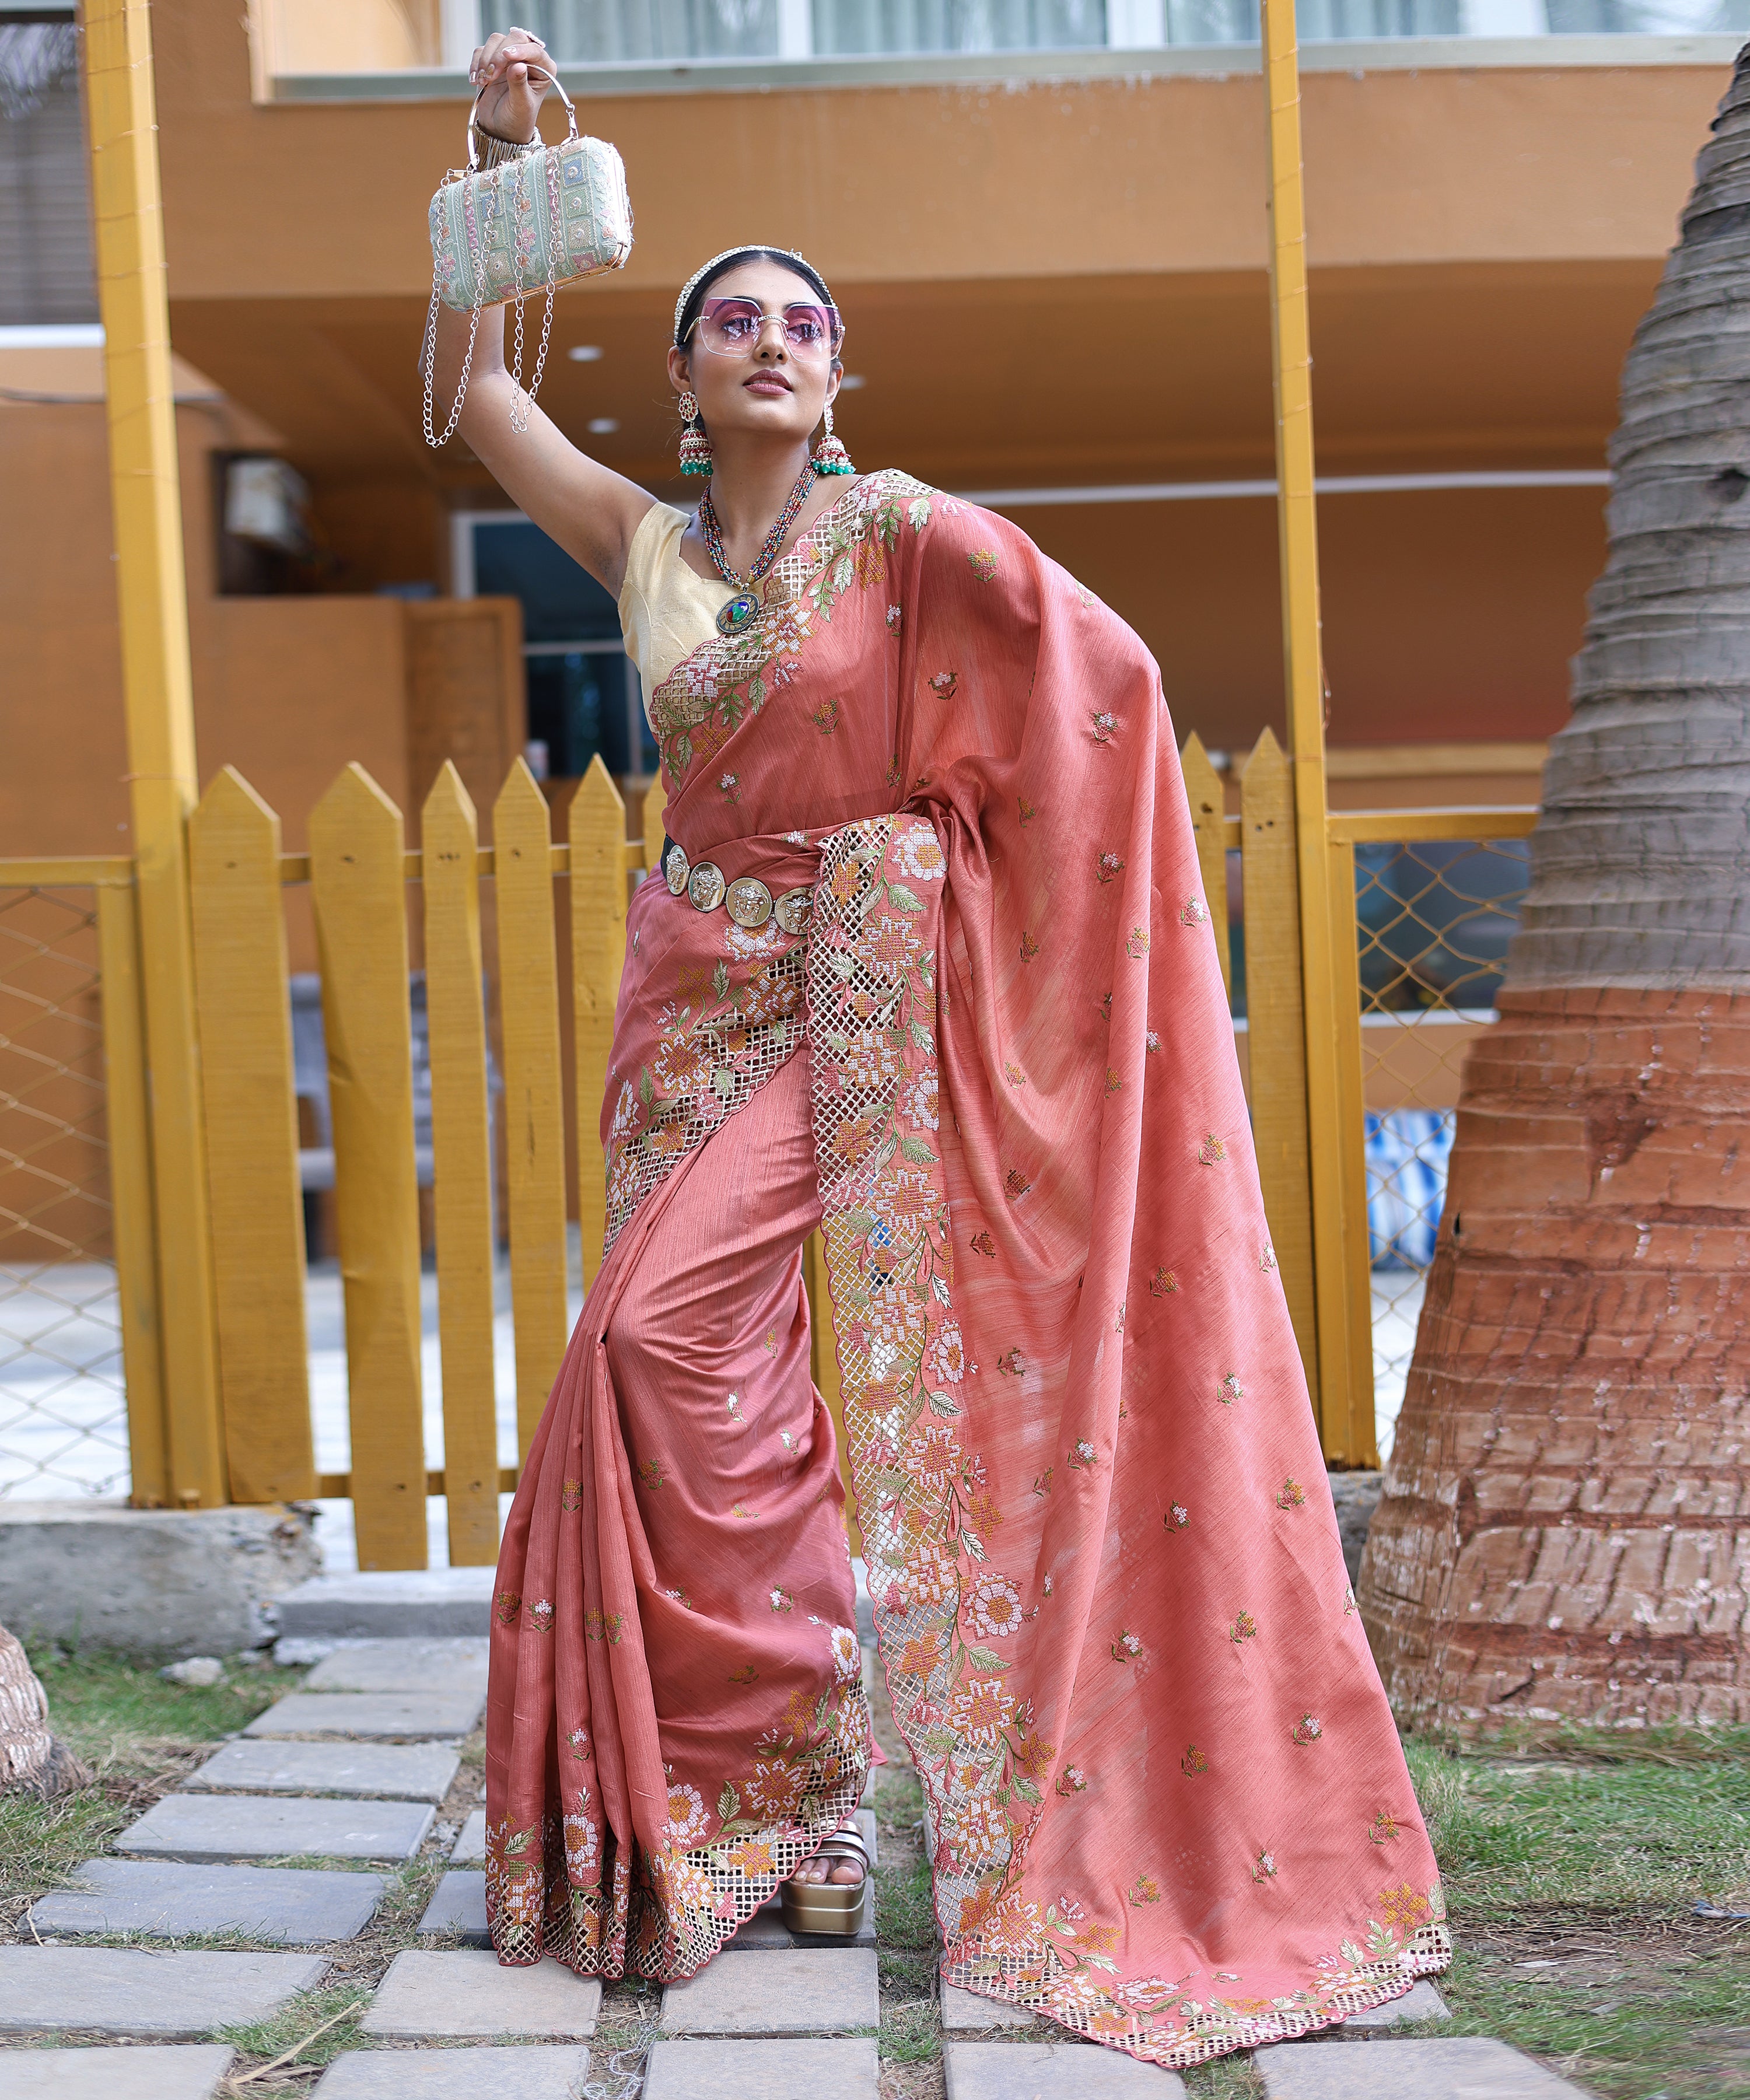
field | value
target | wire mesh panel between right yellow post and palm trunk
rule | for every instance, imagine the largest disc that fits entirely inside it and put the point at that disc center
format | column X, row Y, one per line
column 1434, row 923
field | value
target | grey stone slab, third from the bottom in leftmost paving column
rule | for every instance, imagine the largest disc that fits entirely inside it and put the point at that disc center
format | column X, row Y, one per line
column 287, row 1906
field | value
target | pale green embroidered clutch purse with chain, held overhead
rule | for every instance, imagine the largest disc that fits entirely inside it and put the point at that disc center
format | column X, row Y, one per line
column 543, row 219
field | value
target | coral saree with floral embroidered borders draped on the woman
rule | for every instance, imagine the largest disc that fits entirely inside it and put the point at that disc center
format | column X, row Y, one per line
column 997, row 1066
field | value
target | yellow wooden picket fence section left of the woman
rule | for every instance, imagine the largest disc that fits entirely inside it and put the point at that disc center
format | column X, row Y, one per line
column 360, row 875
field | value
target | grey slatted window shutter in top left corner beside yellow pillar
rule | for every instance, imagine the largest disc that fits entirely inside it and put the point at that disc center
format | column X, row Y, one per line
column 45, row 192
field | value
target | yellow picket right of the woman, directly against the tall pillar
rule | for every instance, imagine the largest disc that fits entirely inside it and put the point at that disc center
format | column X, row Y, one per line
column 1276, row 1030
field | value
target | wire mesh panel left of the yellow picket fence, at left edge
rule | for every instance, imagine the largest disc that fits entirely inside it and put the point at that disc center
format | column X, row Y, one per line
column 64, row 1414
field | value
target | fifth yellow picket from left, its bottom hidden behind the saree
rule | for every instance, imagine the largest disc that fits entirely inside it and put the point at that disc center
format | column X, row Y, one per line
column 598, row 957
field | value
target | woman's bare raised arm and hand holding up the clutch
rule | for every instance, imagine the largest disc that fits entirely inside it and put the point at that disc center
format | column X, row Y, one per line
column 577, row 501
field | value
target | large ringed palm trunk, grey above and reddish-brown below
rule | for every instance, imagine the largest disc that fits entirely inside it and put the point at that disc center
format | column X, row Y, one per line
column 1568, row 1505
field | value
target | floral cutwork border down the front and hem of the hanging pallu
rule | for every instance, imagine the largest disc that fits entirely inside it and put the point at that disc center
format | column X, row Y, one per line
column 928, row 1515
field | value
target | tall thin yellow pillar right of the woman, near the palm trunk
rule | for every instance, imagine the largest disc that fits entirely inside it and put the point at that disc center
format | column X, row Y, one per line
column 1304, row 667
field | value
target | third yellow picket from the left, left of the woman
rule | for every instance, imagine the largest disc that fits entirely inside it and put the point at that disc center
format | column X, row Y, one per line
column 461, row 1167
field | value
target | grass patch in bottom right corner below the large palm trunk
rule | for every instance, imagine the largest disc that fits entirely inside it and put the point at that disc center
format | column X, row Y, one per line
column 1575, row 1862
